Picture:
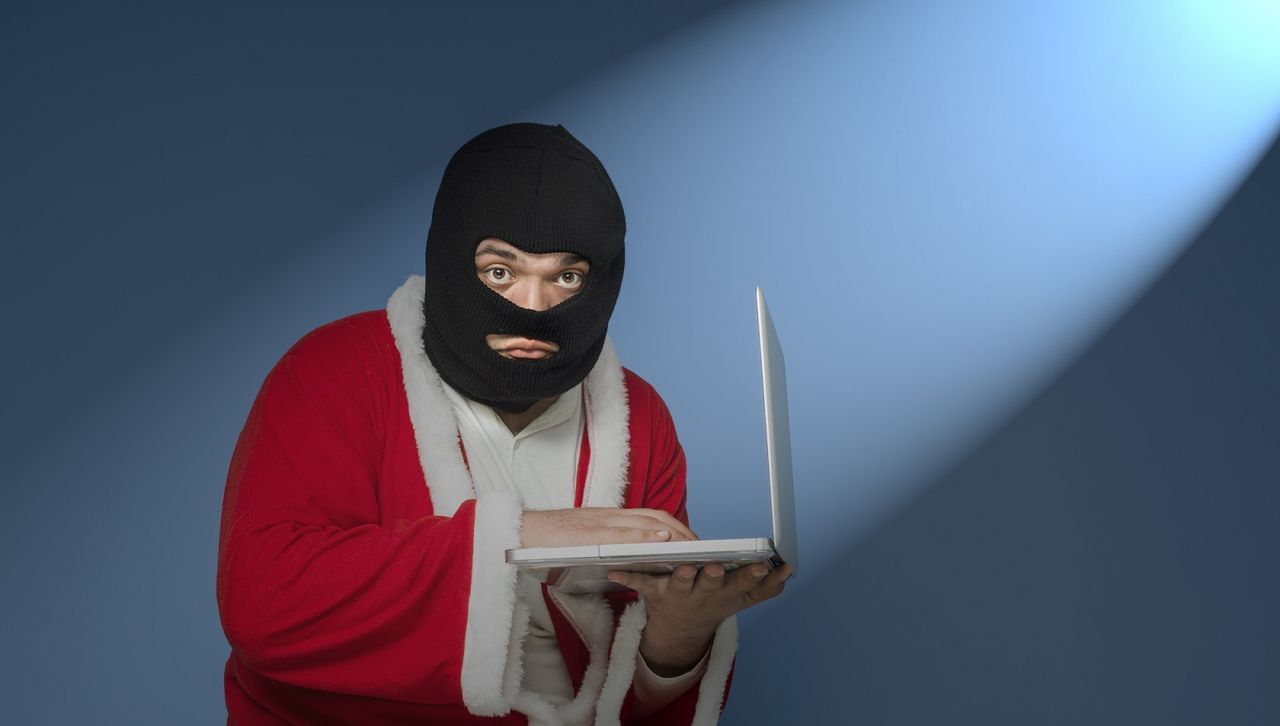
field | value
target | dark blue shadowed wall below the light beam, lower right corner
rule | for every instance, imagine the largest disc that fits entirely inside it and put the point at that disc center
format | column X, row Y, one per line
column 1107, row 558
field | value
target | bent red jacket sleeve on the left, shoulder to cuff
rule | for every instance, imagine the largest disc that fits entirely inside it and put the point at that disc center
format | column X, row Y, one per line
column 314, row 588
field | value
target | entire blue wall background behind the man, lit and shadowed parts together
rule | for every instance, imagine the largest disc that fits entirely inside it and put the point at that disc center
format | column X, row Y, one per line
column 1022, row 255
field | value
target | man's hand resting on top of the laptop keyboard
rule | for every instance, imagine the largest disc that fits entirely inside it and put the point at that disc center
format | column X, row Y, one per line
column 600, row 526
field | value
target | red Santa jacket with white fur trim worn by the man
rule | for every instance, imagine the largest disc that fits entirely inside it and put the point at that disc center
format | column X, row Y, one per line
column 362, row 579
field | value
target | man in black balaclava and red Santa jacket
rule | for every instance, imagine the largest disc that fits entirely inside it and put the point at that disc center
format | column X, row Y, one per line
column 392, row 458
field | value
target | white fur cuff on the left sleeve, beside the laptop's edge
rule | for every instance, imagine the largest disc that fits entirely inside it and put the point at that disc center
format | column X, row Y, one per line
column 492, row 606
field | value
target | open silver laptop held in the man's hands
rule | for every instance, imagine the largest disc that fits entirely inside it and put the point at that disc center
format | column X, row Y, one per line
column 584, row 568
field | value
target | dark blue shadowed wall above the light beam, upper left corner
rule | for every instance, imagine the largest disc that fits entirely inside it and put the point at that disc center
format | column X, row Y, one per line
column 171, row 157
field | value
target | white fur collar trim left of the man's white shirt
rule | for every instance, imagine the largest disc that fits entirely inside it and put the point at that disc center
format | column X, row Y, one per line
column 436, row 431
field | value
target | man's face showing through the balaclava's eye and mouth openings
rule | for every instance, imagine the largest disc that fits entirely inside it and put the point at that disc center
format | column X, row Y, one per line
column 532, row 281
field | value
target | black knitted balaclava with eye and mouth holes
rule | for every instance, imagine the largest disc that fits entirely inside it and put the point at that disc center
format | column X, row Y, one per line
column 540, row 189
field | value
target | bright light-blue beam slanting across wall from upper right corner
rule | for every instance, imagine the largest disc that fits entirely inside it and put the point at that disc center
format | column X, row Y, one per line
column 945, row 206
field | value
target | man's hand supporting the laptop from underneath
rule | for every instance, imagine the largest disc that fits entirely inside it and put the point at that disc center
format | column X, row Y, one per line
column 687, row 606
